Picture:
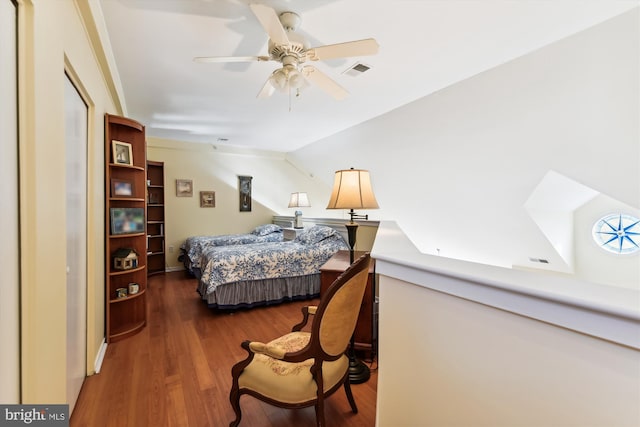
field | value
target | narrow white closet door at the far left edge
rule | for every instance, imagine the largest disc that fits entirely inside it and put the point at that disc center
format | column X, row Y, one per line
column 9, row 225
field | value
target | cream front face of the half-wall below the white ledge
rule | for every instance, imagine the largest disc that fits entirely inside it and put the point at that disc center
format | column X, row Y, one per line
column 468, row 364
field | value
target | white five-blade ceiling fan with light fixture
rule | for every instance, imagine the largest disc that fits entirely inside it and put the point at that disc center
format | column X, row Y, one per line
column 292, row 51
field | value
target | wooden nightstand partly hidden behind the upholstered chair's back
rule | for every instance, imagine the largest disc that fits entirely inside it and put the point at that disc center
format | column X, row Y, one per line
column 364, row 334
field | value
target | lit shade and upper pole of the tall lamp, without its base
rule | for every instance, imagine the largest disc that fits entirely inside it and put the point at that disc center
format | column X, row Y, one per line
column 352, row 190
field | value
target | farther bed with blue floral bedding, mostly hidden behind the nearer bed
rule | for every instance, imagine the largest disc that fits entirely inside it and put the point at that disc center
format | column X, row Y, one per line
column 193, row 247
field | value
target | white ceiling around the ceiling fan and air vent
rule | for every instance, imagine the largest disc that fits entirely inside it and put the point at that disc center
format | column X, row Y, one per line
column 424, row 46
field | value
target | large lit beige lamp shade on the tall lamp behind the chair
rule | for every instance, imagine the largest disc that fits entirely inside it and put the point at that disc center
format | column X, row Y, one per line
column 352, row 190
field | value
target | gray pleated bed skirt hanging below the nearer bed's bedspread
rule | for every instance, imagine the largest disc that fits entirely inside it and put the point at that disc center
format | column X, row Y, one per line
column 252, row 293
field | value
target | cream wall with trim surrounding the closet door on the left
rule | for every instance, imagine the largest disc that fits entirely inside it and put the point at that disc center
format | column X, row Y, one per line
column 55, row 40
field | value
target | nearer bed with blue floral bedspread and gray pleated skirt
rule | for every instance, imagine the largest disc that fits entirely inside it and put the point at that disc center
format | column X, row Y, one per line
column 243, row 276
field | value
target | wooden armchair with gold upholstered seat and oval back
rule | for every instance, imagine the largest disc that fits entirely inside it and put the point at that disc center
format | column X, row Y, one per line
column 301, row 369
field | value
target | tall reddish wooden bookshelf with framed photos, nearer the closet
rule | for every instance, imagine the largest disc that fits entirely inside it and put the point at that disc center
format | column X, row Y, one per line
column 125, row 226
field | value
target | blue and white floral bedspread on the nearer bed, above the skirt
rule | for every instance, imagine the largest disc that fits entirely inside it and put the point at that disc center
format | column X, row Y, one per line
column 302, row 256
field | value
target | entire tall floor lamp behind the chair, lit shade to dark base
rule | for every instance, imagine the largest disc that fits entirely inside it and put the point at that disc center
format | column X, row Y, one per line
column 352, row 190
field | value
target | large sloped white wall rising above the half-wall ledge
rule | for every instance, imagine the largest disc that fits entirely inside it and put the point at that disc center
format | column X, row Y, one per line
column 455, row 169
